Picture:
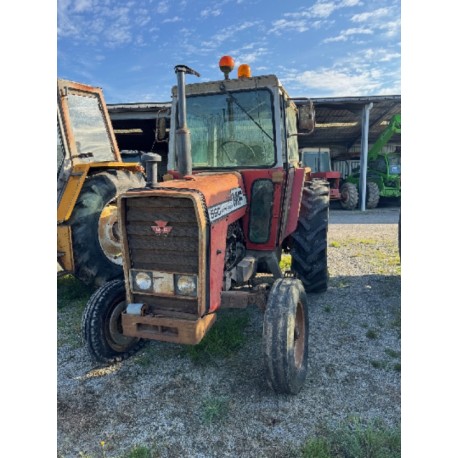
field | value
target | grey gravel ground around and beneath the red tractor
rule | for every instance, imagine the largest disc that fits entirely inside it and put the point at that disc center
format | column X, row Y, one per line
column 162, row 399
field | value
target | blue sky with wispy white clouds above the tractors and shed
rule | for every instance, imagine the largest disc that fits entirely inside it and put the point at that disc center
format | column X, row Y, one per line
column 324, row 48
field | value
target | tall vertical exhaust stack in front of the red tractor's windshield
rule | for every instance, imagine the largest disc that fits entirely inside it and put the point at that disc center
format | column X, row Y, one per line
column 183, row 135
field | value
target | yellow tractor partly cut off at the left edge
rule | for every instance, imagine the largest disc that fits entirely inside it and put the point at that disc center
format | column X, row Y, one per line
column 90, row 176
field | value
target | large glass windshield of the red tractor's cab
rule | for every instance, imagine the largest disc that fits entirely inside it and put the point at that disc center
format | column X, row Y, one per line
column 232, row 129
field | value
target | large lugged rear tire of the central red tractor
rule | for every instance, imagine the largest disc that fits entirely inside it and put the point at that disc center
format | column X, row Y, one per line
column 309, row 242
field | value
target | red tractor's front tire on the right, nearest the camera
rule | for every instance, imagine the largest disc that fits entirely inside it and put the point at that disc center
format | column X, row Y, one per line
column 285, row 336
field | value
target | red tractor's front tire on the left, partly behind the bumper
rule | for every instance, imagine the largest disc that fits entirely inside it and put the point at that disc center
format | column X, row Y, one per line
column 101, row 325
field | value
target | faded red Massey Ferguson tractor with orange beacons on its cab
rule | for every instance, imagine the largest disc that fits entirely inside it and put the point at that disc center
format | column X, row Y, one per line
column 234, row 197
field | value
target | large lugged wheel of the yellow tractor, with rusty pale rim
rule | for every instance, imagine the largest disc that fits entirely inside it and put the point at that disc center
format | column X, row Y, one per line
column 95, row 237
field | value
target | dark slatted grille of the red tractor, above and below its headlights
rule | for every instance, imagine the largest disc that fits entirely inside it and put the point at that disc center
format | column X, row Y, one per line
column 176, row 252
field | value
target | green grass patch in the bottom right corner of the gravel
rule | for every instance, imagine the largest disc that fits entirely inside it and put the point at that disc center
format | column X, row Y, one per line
column 354, row 440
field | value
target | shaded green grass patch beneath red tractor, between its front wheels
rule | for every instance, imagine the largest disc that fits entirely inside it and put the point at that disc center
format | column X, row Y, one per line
column 224, row 339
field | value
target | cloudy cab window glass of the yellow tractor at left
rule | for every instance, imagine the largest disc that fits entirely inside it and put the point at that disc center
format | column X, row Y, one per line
column 89, row 129
